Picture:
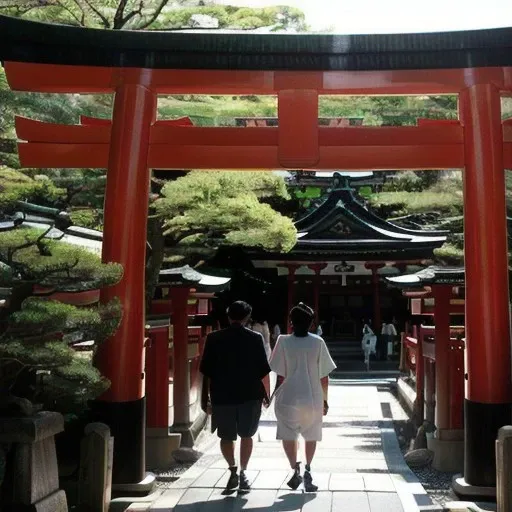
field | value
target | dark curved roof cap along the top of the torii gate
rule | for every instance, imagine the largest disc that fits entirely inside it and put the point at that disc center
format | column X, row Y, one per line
column 28, row 41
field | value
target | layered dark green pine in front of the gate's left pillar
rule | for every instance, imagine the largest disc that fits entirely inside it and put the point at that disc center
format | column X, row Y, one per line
column 39, row 333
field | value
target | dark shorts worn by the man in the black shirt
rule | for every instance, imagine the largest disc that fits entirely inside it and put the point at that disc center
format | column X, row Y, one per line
column 241, row 420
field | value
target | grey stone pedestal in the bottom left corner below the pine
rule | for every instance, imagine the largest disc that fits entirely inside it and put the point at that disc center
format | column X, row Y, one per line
column 32, row 476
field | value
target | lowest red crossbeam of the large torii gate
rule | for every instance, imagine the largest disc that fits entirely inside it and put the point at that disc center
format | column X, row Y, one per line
column 166, row 156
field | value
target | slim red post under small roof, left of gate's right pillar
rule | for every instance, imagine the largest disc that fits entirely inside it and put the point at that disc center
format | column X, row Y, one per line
column 442, row 295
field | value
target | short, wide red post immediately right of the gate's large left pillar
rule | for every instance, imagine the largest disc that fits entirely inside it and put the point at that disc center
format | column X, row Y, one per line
column 157, row 381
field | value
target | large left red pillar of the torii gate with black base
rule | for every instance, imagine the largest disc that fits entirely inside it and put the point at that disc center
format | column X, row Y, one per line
column 120, row 358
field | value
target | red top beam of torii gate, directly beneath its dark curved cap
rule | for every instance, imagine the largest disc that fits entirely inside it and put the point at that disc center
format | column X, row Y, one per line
column 88, row 79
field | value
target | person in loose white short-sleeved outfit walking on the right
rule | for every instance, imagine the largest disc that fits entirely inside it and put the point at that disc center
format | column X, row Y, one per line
column 303, row 362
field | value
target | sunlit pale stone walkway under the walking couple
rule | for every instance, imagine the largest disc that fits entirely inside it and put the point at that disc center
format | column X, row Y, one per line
column 358, row 467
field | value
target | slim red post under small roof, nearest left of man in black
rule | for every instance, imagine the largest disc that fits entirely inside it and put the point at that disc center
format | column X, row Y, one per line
column 181, row 389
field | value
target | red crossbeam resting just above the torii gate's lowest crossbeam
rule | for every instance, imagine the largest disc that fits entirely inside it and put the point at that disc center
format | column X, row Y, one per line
column 180, row 132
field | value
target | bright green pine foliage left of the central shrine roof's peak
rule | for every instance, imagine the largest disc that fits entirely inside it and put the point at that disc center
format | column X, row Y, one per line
column 202, row 211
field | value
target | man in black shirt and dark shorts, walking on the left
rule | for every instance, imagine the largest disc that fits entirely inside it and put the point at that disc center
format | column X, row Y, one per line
column 235, row 366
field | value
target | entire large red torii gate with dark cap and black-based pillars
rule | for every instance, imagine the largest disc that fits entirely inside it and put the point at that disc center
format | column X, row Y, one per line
column 474, row 65
